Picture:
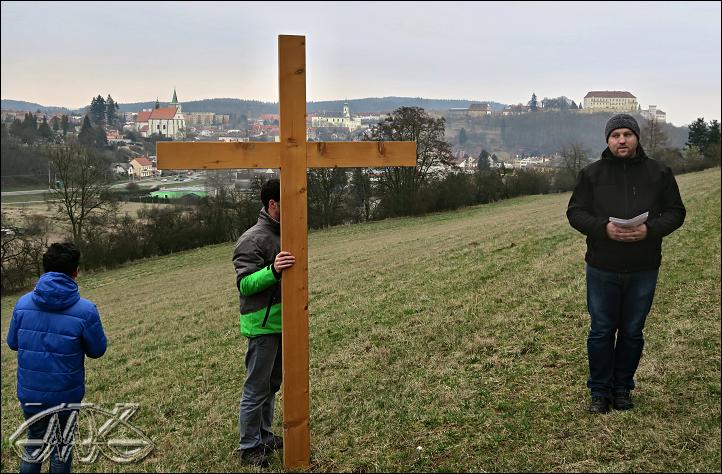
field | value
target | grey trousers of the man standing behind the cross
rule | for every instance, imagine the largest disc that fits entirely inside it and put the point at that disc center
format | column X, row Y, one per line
column 264, row 376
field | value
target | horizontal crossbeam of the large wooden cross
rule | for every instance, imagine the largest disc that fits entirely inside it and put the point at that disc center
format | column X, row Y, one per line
column 240, row 155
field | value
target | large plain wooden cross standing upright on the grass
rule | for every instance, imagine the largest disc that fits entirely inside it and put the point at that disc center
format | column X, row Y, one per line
column 293, row 155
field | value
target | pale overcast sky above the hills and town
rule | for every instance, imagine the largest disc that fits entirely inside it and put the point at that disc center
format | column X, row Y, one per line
column 665, row 53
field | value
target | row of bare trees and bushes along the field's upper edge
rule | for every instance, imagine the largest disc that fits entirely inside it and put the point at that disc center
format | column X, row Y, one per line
column 109, row 237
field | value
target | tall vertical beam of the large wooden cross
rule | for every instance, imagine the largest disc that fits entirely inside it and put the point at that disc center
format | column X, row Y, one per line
column 294, row 289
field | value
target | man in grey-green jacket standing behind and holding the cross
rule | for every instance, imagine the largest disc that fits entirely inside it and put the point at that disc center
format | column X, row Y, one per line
column 259, row 262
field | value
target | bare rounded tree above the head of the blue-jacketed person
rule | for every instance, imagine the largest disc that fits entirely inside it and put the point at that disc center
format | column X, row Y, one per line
column 82, row 185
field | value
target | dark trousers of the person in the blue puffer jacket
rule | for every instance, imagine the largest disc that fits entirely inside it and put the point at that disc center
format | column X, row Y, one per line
column 61, row 456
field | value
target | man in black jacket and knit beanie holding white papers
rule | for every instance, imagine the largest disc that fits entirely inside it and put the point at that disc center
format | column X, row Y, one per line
column 622, row 261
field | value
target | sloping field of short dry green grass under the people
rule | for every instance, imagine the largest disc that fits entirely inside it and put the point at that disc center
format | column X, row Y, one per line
column 450, row 342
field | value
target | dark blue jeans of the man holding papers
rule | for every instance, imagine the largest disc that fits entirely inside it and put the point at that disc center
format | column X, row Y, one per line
column 618, row 304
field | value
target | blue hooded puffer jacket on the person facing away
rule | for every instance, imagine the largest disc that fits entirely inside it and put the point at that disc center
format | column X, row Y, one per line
column 53, row 329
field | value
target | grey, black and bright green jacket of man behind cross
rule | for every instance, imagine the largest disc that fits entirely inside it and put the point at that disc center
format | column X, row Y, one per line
column 258, row 284
